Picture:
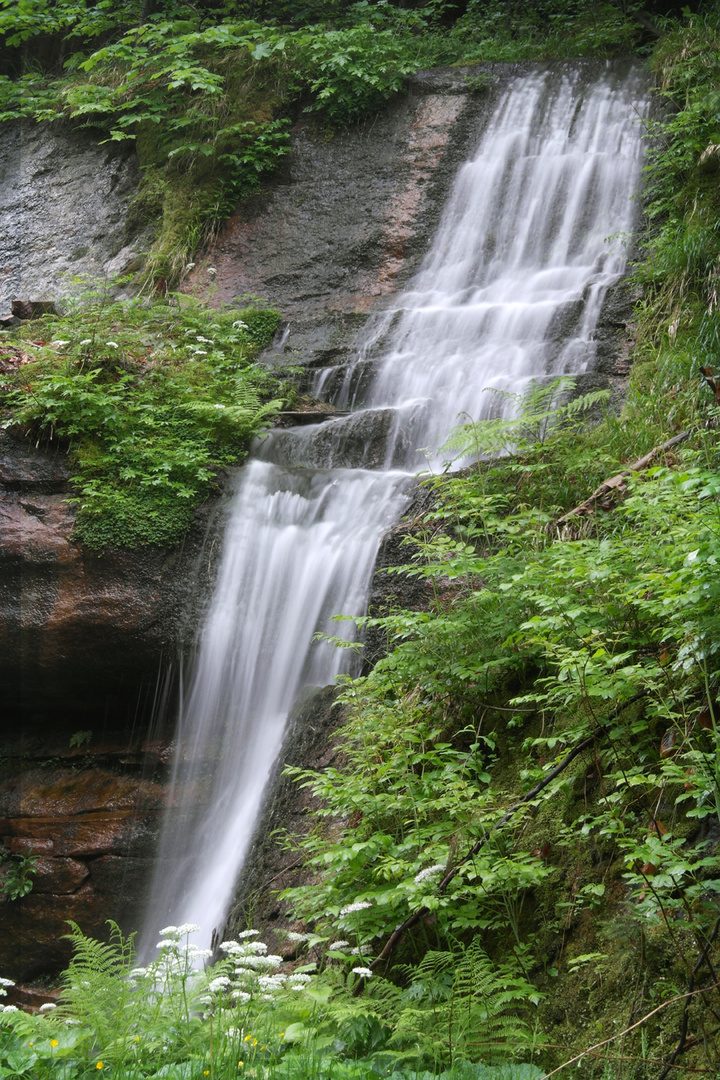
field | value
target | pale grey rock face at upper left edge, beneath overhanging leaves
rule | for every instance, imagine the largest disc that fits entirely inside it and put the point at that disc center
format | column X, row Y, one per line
column 63, row 207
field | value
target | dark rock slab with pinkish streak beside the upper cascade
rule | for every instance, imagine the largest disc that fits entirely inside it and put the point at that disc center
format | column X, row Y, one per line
column 346, row 225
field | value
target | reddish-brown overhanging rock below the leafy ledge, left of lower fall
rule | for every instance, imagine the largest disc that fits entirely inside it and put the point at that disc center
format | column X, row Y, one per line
column 83, row 632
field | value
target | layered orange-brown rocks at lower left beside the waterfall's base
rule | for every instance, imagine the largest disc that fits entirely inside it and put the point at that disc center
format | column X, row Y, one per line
column 91, row 831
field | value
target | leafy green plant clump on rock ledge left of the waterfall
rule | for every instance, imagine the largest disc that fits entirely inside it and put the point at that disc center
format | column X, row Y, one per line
column 151, row 401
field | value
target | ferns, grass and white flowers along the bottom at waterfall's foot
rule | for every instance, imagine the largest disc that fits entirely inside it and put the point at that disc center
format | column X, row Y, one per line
column 246, row 1017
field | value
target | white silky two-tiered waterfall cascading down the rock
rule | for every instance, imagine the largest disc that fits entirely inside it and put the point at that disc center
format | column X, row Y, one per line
column 511, row 291
